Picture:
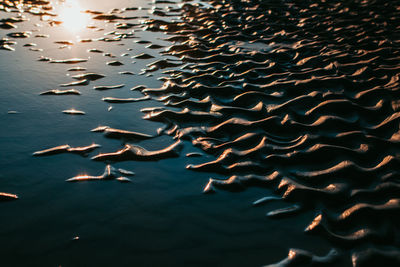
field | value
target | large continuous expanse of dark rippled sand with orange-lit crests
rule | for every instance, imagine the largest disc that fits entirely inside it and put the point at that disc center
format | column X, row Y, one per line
column 297, row 97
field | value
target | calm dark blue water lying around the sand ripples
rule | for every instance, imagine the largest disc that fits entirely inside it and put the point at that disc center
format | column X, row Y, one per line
column 162, row 217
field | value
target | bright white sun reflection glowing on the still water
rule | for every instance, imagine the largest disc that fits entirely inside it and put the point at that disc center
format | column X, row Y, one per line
column 72, row 16
